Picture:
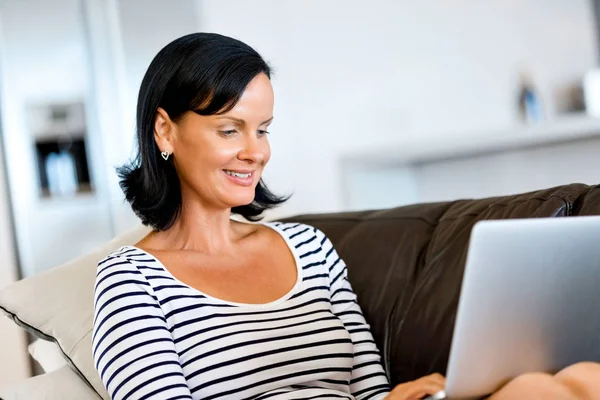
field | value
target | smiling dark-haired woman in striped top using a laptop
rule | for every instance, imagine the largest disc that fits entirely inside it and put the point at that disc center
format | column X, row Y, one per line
column 208, row 307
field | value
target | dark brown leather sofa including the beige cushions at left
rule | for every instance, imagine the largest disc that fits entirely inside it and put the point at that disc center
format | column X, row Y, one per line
column 405, row 264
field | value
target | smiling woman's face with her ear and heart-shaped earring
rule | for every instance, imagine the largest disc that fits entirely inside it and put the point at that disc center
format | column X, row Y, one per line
column 220, row 158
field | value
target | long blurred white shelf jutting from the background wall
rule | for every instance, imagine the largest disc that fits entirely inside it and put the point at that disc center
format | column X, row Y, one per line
column 446, row 147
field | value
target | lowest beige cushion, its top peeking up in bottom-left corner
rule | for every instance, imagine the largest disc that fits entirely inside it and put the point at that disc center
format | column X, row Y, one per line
column 62, row 384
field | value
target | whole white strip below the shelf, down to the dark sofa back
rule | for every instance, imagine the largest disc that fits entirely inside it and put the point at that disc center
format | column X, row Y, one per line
column 382, row 185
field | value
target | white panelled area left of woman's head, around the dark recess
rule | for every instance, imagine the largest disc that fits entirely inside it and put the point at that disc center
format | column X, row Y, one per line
column 93, row 50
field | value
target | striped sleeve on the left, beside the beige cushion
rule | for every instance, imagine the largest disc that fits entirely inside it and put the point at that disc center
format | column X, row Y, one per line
column 133, row 350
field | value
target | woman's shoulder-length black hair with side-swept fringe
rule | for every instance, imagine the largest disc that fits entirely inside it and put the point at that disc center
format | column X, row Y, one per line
column 202, row 72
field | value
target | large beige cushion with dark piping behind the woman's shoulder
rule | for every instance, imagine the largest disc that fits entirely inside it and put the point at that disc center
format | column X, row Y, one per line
column 57, row 305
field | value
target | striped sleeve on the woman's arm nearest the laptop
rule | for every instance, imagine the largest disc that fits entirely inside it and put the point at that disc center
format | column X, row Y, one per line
column 368, row 380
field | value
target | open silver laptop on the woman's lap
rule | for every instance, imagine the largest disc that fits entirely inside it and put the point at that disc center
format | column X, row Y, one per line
column 530, row 302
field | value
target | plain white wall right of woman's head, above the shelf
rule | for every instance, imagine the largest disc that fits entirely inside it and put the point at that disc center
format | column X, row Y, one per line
column 352, row 76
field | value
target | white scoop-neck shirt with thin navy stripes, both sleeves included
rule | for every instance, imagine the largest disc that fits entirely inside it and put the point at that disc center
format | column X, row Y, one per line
column 155, row 337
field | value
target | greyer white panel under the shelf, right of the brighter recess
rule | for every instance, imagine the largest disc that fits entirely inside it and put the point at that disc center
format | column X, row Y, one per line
column 510, row 172
